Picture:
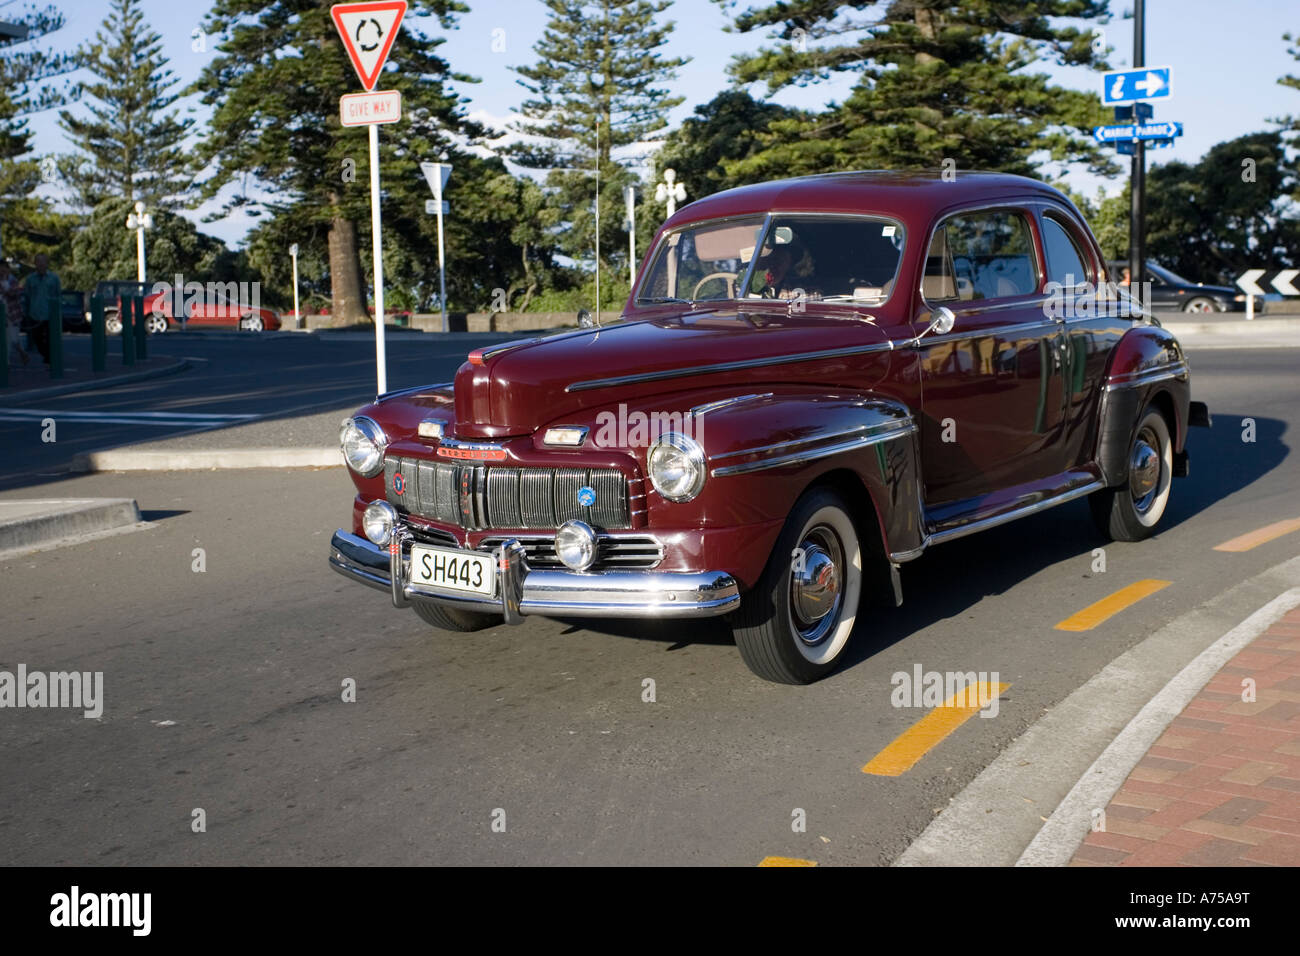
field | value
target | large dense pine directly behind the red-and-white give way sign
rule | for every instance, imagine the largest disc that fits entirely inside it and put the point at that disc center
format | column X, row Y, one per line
column 275, row 88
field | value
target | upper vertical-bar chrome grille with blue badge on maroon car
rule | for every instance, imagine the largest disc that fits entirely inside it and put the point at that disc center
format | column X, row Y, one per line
column 480, row 496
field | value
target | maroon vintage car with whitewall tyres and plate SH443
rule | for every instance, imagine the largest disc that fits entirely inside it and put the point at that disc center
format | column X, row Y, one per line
column 813, row 383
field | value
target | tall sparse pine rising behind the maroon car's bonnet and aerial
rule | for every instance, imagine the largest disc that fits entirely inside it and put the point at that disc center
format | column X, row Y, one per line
column 599, row 86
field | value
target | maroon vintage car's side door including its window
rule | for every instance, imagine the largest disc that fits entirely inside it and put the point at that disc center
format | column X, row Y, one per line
column 991, row 388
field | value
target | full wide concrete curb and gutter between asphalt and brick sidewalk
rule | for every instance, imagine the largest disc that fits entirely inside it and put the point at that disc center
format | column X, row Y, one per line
column 1002, row 812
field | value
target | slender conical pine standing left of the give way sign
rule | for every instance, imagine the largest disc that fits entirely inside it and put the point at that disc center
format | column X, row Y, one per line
column 129, row 144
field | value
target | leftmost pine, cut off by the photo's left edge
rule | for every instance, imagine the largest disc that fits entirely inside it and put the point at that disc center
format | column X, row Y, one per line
column 27, row 70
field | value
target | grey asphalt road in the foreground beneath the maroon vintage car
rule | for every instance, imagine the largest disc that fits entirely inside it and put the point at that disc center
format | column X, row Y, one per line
column 224, row 689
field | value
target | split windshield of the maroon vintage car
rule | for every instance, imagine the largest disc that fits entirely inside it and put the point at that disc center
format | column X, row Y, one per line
column 829, row 259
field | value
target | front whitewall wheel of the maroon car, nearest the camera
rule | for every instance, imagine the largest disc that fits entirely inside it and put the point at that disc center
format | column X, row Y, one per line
column 795, row 624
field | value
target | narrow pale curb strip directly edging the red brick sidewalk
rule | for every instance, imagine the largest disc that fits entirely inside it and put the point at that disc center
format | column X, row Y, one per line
column 1071, row 824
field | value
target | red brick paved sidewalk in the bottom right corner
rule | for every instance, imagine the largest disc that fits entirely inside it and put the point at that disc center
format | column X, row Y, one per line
column 1221, row 788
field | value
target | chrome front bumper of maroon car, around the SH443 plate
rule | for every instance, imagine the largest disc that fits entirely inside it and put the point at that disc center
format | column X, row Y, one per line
column 562, row 594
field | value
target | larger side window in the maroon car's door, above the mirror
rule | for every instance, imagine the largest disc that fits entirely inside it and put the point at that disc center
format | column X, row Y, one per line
column 981, row 256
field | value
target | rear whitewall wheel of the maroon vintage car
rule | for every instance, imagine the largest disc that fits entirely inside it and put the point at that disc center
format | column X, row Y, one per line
column 1133, row 511
